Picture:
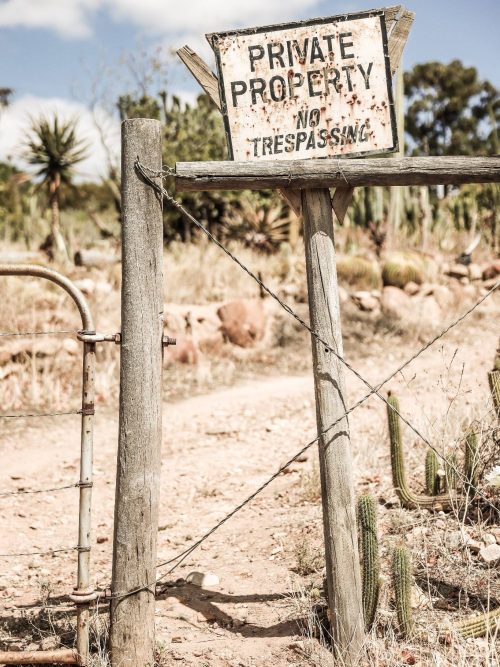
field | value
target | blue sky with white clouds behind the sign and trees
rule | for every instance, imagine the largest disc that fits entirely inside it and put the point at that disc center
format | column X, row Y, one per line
column 63, row 55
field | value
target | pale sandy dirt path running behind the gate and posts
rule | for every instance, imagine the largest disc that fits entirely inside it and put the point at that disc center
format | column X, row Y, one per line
column 217, row 449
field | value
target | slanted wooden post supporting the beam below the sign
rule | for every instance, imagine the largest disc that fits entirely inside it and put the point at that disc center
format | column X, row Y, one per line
column 337, row 490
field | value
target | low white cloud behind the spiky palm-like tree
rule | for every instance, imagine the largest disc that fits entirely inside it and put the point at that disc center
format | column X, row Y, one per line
column 15, row 121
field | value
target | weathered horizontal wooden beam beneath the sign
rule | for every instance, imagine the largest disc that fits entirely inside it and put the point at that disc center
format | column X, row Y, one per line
column 252, row 175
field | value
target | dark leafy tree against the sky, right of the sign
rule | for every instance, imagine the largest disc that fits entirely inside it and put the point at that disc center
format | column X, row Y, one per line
column 451, row 111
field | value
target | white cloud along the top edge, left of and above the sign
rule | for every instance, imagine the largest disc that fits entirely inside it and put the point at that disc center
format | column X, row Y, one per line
column 73, row 18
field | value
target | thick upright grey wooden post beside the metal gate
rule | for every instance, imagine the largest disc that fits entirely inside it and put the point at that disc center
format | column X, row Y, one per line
column 139, row 444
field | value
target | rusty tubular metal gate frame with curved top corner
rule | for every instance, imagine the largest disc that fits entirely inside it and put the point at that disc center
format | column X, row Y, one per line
column 83, row 594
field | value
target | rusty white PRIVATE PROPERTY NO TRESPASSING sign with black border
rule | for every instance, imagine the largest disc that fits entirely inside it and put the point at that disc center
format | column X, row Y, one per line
column 318, row 88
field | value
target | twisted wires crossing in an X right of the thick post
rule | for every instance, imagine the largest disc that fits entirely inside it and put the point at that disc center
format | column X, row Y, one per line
column 179, row 558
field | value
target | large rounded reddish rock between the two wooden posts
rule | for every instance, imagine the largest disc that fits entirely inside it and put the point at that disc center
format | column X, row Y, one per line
column 243, row 322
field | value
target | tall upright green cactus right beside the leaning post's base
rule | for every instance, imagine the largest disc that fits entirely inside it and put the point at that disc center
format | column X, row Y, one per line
column 367, row 525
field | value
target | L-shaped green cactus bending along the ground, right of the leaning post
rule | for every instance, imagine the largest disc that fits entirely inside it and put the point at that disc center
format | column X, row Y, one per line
column 408, row 499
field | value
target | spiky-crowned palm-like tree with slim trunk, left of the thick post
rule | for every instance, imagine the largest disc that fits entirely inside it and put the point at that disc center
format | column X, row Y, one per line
column 55, row 149
